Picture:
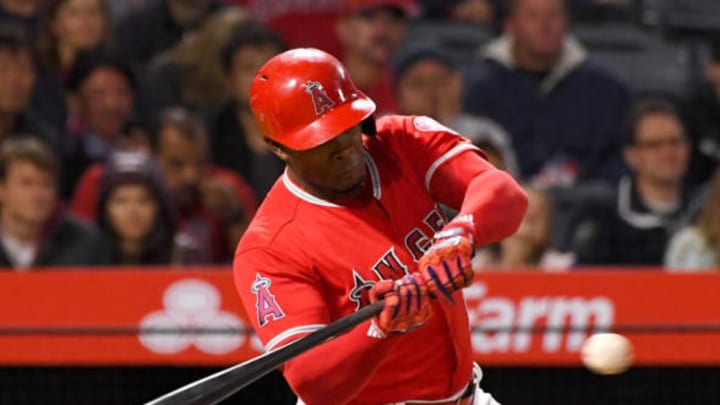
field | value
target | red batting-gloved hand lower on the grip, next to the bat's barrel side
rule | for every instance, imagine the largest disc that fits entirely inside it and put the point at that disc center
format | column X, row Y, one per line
column 407, row 305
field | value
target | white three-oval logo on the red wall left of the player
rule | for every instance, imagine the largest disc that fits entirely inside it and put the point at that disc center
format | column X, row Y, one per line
column 192, row 304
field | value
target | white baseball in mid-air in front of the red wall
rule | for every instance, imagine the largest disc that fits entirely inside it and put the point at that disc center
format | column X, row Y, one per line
column 607, row 353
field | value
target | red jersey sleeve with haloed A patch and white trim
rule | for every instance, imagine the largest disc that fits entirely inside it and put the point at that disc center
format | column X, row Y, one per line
column 282, row 297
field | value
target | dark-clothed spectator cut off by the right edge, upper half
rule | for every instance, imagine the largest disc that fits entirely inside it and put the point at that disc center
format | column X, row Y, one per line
column 702, row 112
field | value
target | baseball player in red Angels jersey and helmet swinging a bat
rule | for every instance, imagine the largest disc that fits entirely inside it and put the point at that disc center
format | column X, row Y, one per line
column 355, row 218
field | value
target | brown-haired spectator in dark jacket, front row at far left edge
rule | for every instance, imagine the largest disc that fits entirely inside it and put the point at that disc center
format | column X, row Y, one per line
column 35, row 231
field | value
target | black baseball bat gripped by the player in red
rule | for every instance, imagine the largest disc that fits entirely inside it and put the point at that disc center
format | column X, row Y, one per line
column 216, row 387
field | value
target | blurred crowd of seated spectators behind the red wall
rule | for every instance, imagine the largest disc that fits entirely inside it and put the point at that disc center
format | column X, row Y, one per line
column 126, row 136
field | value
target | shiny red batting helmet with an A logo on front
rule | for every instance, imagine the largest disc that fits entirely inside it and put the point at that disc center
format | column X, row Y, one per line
column 304, row 97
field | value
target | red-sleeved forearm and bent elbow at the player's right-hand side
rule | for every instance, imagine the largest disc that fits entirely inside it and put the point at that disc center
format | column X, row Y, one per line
column 497, row 204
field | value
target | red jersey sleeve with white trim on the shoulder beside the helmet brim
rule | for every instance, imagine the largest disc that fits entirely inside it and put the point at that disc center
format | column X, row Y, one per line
column 424, row 144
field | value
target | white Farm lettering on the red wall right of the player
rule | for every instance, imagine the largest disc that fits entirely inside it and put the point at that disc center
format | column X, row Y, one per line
column 582, row 315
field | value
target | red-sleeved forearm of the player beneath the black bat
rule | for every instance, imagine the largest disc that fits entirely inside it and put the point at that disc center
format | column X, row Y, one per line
column 335, row 372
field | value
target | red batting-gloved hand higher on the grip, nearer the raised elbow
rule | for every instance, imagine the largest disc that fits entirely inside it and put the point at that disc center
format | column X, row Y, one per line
column 447, row 266
